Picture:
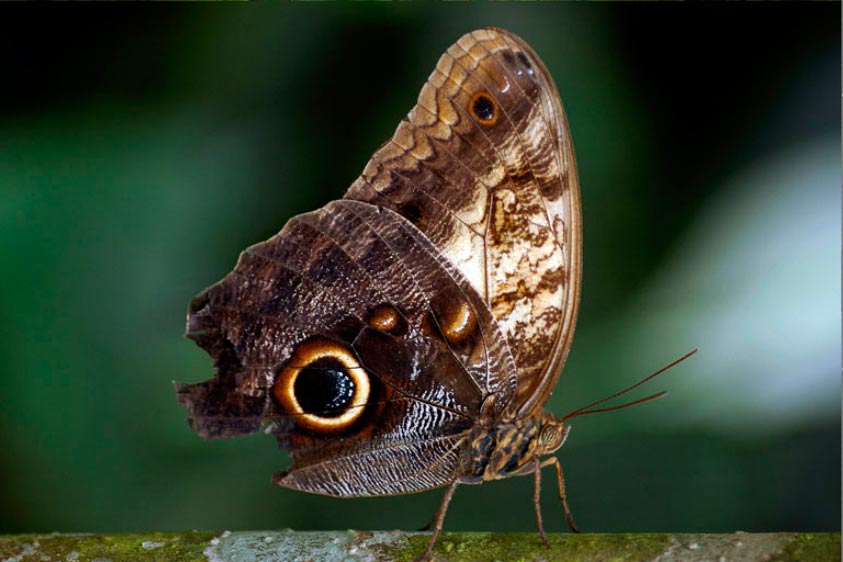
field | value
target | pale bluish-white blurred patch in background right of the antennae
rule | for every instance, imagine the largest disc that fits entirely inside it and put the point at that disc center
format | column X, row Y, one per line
column 756, row 286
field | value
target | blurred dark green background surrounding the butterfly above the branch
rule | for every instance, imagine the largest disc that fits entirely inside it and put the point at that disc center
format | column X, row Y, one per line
column 142, row 147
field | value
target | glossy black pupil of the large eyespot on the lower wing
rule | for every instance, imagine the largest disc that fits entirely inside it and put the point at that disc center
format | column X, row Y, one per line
column 324, row 388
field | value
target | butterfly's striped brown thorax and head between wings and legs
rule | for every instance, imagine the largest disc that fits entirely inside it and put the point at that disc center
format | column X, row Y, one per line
column 507, row 448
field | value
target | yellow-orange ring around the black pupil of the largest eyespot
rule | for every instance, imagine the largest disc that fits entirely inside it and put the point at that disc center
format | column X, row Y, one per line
column 305, row 354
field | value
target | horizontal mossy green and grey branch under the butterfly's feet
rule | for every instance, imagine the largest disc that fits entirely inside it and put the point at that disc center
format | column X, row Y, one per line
column 272, row 546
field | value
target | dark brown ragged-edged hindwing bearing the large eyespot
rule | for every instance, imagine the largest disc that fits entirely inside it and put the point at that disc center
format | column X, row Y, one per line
column 361, row 285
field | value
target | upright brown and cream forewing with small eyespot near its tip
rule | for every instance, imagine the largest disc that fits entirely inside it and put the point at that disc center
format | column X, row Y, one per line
column 499, row 197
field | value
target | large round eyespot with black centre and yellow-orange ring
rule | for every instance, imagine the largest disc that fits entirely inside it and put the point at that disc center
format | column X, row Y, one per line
column 323, row 386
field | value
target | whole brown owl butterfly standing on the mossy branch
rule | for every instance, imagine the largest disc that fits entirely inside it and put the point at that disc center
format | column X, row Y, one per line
column 406, row 337
